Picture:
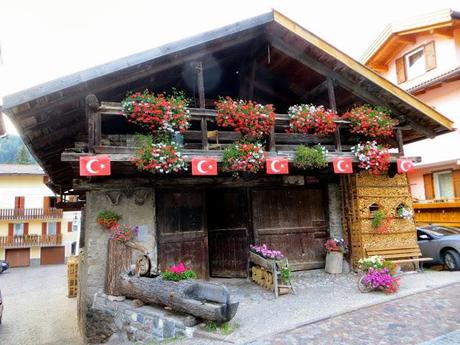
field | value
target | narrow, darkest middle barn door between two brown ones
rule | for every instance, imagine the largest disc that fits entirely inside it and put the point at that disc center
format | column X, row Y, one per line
column 228, row 232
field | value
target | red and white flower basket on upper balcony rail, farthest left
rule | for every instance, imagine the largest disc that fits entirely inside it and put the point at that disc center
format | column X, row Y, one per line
column 157, row 111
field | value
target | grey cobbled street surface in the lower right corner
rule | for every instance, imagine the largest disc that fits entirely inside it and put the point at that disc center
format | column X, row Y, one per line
column 428, row 318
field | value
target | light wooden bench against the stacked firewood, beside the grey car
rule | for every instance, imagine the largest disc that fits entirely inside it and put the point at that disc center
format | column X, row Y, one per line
column 401, row 255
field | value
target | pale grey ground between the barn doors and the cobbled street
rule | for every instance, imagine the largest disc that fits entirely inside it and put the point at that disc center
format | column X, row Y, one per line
column 319, row 295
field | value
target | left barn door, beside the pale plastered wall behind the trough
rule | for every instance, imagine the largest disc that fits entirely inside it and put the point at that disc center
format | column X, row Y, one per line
column 181, row 224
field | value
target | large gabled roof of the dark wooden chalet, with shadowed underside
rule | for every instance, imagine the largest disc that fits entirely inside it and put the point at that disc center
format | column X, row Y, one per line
column 288, row 65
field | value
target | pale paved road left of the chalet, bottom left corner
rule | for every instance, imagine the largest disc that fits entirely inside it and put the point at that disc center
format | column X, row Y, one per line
column 37, row 311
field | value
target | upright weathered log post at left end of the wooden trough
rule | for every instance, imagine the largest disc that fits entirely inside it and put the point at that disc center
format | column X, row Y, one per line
column 118, row 261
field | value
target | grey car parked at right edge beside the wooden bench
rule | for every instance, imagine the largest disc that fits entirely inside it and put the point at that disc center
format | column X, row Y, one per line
column 441, row 245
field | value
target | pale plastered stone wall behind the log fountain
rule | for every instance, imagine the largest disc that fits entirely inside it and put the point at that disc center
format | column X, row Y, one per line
column 136, row 207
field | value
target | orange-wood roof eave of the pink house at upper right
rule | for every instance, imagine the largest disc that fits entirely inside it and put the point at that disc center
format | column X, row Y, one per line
column 396, row 36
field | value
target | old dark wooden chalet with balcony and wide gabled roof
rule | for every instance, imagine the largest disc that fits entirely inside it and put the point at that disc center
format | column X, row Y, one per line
column 209, row 222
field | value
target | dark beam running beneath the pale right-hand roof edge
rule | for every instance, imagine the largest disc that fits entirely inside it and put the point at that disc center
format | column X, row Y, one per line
column 345, row 83
